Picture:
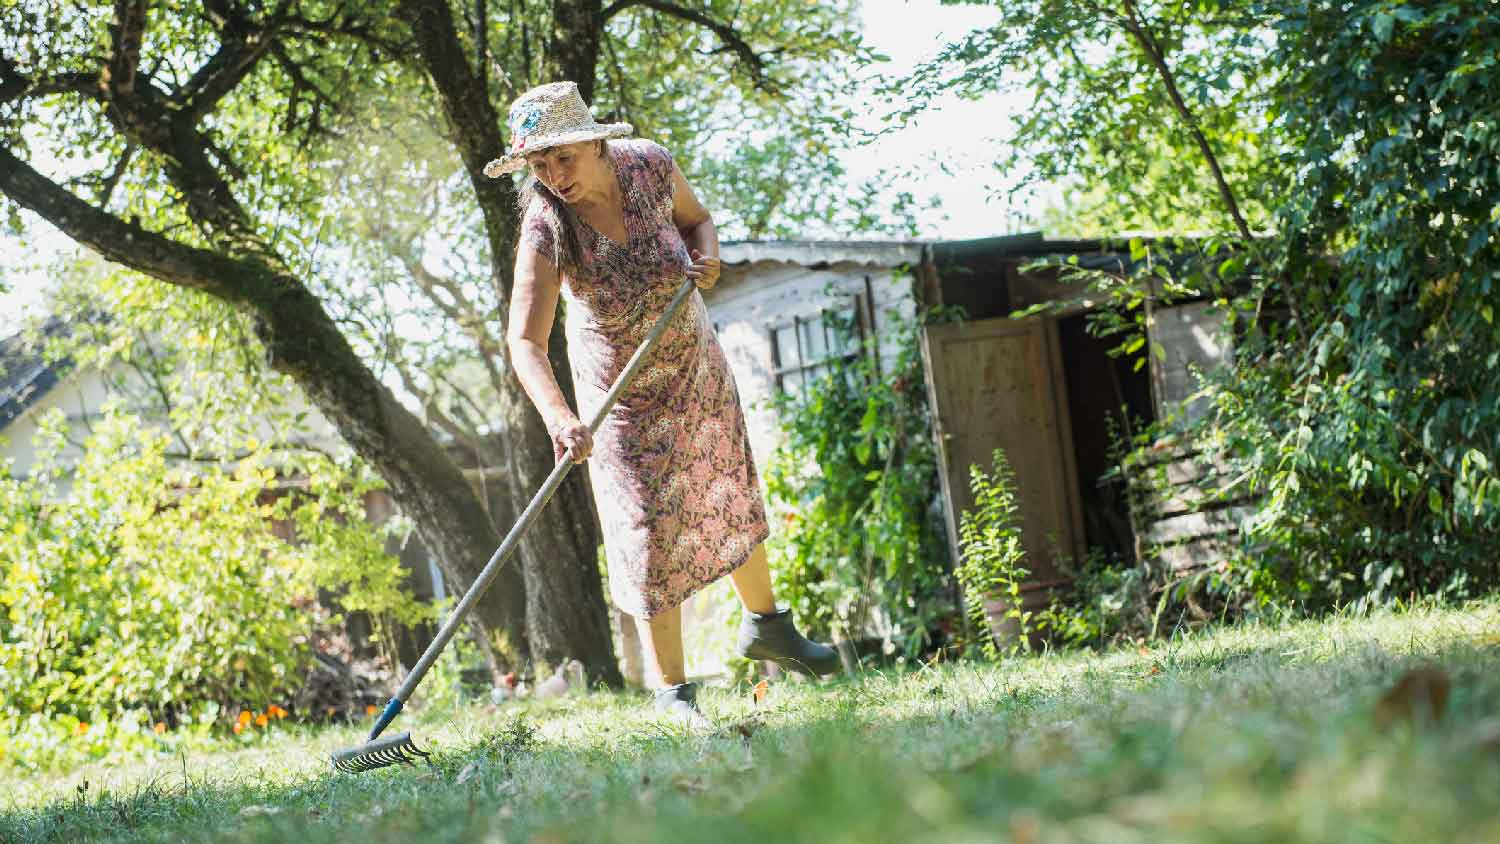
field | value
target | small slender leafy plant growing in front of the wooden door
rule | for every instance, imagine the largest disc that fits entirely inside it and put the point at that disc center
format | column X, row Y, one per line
column 991, row 557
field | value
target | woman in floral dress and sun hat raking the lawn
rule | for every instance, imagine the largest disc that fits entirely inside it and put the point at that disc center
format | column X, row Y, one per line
column 616, row 229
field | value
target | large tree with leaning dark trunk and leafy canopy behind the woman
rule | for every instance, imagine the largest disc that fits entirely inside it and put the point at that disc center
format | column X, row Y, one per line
column 209, row 167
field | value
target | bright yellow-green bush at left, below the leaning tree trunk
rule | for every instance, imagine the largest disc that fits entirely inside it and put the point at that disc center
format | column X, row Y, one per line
column 136, row 582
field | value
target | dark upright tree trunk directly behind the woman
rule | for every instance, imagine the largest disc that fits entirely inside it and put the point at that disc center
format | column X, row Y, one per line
column 566, row 611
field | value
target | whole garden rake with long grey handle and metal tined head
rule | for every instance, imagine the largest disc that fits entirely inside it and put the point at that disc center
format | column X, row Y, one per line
column 400, row 749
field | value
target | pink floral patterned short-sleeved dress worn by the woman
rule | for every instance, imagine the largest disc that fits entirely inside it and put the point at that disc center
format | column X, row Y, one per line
column 673, row 471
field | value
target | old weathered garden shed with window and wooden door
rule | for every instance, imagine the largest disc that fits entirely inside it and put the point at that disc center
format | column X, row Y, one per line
column 1039, row 388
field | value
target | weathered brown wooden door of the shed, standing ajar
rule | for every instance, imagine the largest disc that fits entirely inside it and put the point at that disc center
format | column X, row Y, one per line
column 1000, row 385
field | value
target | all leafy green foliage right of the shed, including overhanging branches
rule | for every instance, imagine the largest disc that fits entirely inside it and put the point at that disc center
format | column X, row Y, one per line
column 1363, row 410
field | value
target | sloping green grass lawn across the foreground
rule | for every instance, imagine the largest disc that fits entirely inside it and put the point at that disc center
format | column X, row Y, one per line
column 1247, row 734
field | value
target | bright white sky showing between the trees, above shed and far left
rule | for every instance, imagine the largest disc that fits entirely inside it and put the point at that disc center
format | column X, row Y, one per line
column 955, row 146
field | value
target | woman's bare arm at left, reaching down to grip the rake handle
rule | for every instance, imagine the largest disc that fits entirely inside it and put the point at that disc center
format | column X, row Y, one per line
column 533, row 305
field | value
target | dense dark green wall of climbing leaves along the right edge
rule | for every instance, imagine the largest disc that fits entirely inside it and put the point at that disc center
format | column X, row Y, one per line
column 1372, row 422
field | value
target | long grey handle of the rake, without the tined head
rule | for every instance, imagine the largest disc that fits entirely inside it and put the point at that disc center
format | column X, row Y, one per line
column 508, row 548
